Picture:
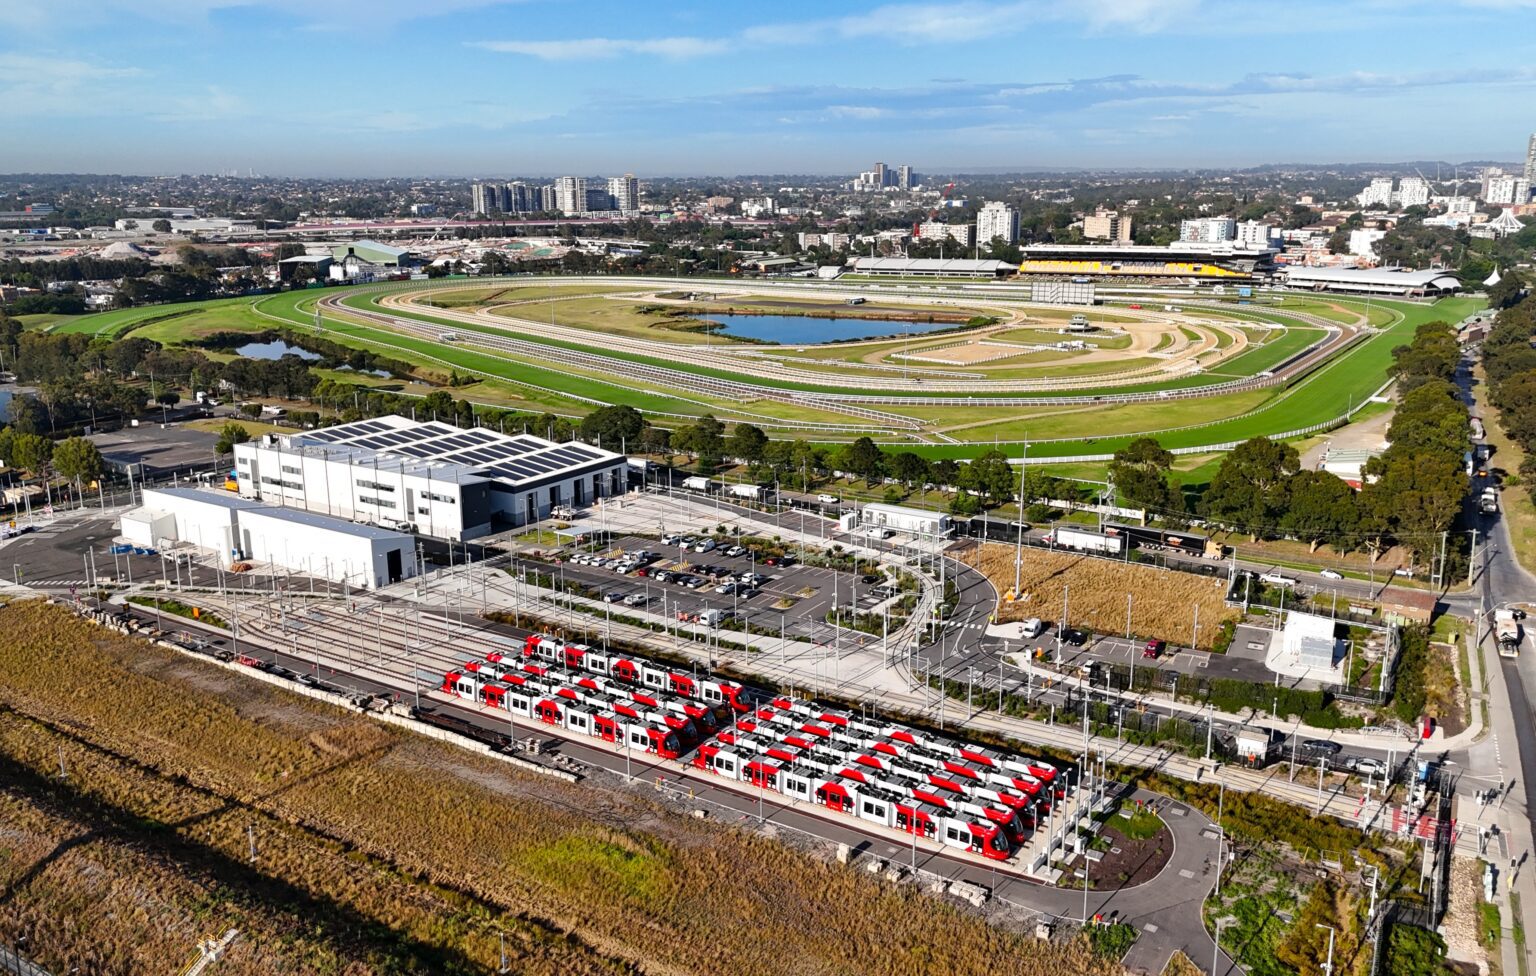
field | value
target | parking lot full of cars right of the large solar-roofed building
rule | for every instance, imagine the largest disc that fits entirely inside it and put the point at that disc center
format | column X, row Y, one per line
column 675, row 580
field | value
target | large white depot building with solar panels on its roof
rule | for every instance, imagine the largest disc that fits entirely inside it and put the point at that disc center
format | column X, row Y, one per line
column 428, row 477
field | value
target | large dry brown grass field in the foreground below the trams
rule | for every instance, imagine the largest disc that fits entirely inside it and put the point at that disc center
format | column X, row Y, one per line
column 389, row 854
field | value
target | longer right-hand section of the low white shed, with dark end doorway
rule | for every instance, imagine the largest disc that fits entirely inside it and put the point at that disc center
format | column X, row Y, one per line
column 325, row 548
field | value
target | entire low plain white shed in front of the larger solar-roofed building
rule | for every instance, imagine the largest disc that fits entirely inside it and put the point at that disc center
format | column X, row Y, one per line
column 239, row 529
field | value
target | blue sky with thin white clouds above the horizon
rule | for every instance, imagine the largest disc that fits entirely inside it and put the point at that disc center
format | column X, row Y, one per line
column 543, row 87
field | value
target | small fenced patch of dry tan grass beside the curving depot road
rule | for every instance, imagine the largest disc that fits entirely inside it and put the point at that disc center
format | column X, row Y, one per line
column 1164, row 602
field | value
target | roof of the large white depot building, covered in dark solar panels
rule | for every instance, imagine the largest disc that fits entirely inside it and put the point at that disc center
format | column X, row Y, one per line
column 505, row 457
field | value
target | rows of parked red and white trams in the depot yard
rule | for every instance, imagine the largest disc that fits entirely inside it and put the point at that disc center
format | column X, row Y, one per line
column 967, row 797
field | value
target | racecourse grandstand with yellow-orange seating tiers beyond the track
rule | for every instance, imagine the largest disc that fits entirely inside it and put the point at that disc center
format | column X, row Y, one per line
column 1197, row 262
